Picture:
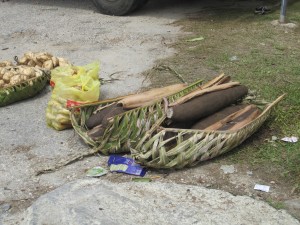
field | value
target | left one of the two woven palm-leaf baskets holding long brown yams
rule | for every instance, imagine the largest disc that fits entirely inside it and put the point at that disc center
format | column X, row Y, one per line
column 124, row 130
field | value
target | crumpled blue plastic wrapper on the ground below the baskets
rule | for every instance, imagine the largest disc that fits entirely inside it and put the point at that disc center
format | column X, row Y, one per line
column 125, row 165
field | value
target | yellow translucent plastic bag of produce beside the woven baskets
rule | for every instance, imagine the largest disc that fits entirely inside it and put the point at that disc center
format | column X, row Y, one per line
column 80, row 87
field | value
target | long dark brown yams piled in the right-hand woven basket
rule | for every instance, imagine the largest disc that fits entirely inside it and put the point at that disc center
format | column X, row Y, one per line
column 214, row 106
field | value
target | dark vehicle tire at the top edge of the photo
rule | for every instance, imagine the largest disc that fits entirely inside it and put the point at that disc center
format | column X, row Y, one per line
column 116, row 7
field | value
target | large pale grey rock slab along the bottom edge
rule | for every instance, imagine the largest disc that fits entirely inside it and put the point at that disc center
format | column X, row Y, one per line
column 93, row 201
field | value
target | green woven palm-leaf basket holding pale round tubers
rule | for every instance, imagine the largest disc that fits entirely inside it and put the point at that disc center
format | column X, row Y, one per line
column 25, row 88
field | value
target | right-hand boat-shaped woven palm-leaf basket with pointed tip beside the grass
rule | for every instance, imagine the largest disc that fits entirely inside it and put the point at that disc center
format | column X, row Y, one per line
column 191, row 146
